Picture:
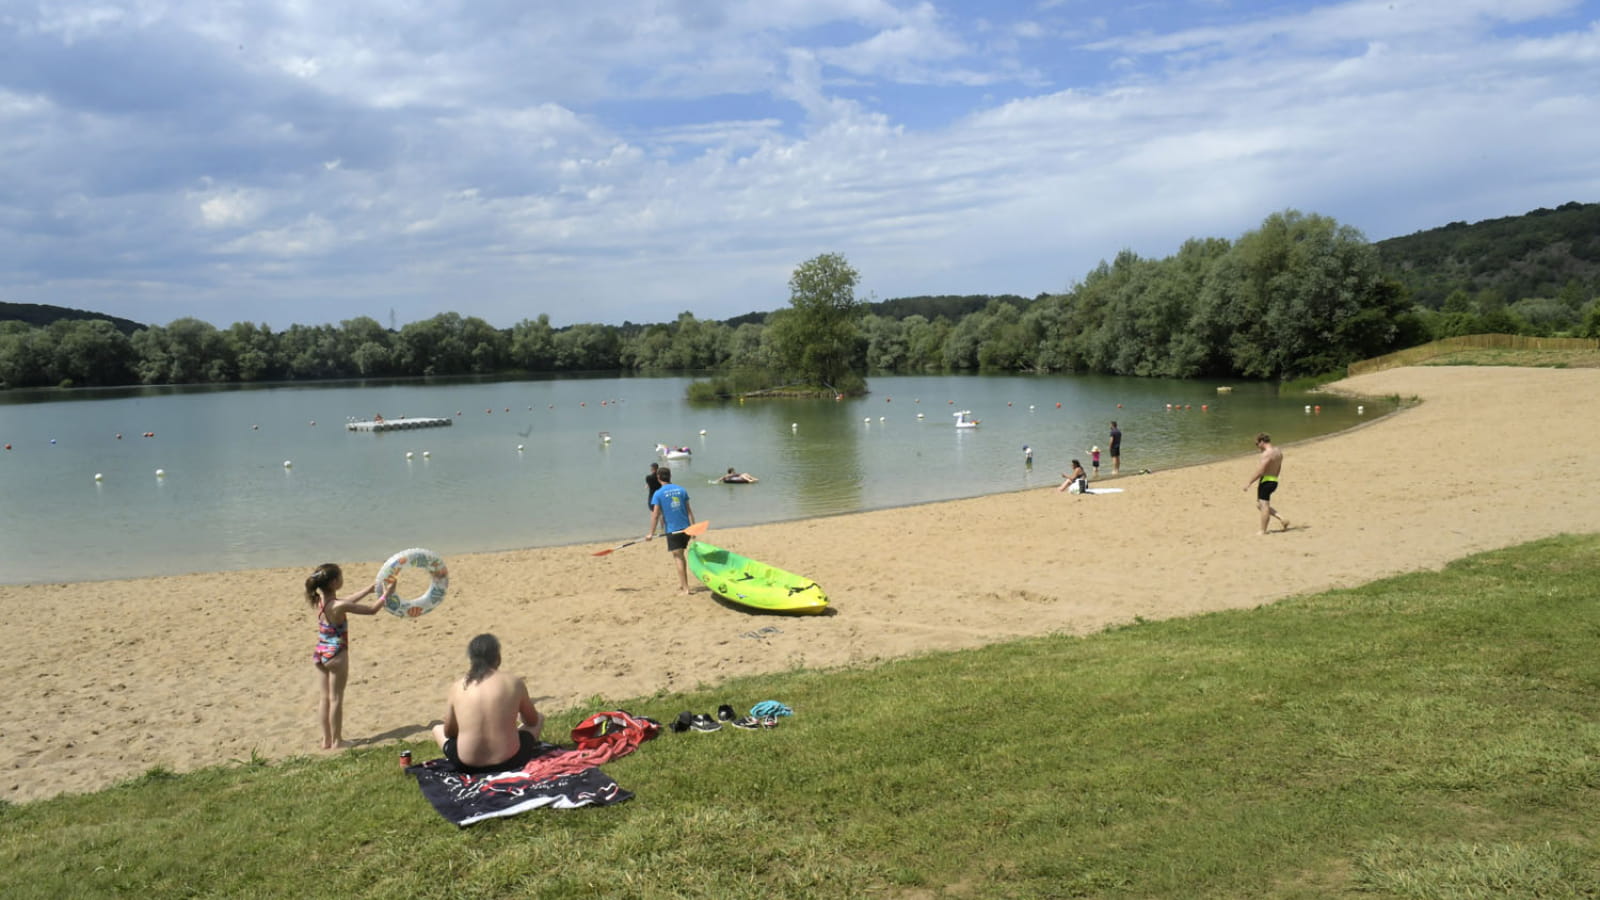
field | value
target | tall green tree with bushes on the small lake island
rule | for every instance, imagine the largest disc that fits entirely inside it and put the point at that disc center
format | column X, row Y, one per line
column 818, row 340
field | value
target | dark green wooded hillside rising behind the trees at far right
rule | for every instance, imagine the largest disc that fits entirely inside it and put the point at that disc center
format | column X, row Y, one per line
column 1535, row 255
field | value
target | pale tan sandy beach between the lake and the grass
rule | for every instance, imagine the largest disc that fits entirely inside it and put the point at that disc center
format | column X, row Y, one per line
column 106, row 680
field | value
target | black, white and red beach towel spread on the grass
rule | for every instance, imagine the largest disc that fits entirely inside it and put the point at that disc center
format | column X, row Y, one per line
column 556, row 779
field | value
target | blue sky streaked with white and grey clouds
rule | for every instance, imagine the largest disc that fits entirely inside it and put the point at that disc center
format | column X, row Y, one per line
column 295, row 161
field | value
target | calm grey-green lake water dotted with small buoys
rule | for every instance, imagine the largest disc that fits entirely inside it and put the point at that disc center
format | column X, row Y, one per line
column 228, row 502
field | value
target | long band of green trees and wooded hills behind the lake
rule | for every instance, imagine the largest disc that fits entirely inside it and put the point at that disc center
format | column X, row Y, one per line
column 1300, row 295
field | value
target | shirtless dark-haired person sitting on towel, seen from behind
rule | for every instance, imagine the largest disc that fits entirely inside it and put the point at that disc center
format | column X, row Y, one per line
column 481, row 729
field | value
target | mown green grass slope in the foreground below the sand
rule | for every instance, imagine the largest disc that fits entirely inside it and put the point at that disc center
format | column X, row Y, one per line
column 1430, row 736
